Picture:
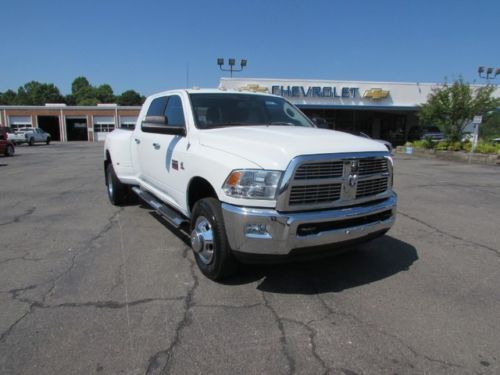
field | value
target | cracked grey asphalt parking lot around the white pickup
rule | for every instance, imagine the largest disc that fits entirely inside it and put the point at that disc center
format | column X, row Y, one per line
column 86, row 287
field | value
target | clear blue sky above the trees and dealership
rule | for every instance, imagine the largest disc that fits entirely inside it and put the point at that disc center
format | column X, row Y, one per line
column 151, row 46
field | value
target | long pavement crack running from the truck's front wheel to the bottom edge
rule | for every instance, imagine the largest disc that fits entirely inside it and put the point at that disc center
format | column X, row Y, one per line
column 162, row 359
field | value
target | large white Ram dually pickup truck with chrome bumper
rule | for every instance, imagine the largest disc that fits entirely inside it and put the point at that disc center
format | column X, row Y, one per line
column 250, row 178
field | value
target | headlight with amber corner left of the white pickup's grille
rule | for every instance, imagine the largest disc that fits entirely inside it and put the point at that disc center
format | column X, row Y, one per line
column 252, row 184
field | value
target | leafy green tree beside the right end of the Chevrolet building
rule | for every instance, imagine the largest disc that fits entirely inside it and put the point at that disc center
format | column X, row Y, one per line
column 451, row 108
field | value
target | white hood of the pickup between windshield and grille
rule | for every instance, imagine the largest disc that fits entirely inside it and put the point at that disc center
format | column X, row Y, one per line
column 272, row 147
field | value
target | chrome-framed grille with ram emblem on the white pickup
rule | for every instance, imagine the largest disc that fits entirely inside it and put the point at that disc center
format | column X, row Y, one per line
column 328, row 181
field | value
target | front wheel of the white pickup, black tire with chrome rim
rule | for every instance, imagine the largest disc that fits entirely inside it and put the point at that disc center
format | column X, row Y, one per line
column 220, row 263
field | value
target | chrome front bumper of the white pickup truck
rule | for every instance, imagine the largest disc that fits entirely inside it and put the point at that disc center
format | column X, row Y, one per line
column 269, row 232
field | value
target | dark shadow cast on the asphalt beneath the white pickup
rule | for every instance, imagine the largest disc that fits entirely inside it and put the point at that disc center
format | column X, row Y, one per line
column 364, row 264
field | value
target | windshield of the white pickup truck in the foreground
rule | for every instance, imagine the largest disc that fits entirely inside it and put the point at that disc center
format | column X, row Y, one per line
column 228, row 109
